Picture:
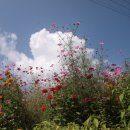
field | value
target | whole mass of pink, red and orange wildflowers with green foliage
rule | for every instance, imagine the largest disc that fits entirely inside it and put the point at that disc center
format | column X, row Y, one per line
column 85, row 93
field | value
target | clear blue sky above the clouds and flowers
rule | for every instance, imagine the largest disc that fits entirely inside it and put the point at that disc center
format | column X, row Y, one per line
column 26, row 17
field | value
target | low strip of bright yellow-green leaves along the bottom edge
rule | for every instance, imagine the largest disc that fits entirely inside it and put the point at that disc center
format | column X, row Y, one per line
column 92, row 123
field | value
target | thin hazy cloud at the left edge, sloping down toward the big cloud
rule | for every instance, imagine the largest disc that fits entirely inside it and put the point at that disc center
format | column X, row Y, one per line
column 8, row 48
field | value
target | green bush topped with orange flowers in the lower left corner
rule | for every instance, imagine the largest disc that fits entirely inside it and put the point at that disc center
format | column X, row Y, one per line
column 13, row 113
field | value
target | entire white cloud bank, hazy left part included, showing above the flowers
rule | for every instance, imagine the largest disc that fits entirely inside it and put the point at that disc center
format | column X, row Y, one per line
column 43, row 46
